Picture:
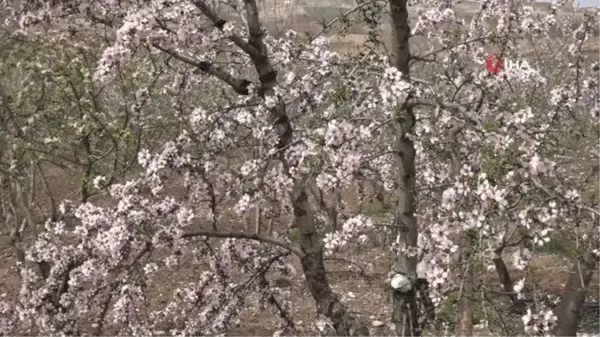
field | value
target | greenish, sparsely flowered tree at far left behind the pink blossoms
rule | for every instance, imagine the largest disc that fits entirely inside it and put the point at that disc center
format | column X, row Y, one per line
column 57, row 121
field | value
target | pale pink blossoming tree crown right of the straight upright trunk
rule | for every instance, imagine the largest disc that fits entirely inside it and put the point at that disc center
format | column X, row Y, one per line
column 509, row 122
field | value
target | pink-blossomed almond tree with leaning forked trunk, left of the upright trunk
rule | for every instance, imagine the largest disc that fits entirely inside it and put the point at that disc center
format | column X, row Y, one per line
column 120, row 238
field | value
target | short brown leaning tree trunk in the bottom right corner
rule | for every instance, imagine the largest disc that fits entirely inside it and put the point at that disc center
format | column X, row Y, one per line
column 573, row 297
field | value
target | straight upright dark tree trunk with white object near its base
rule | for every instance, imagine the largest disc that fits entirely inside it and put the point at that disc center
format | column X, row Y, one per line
column 405, row 314
